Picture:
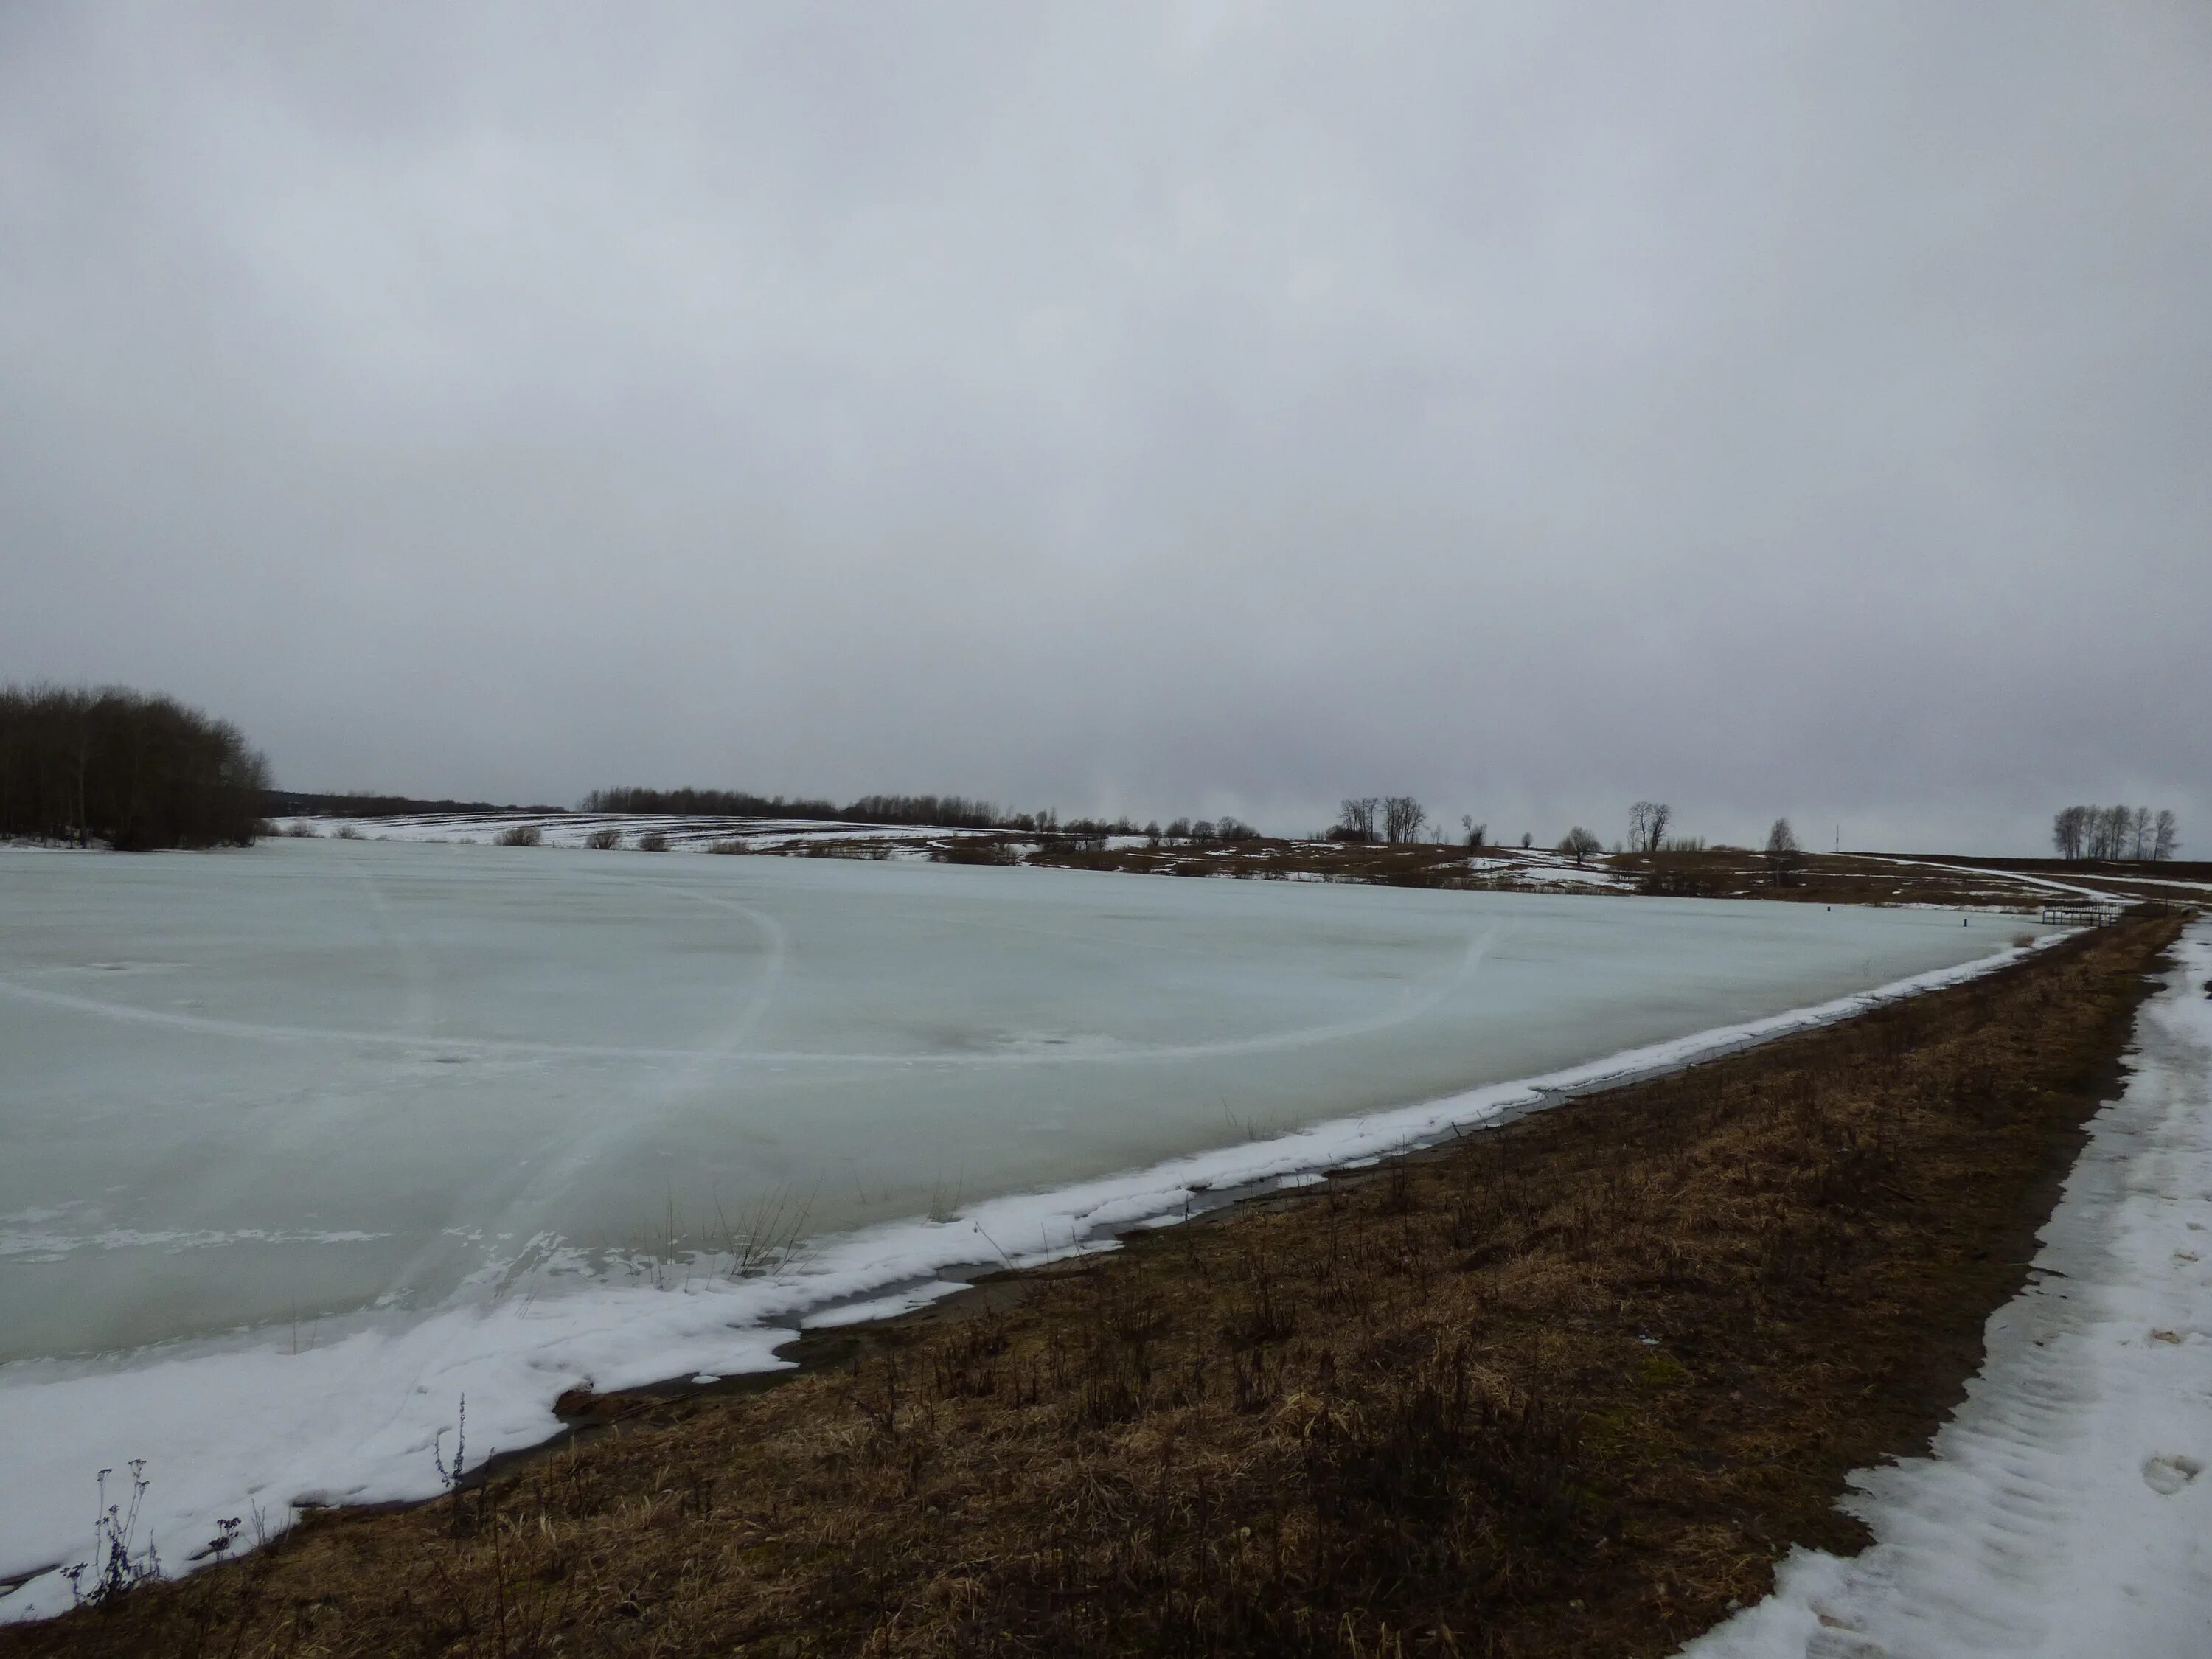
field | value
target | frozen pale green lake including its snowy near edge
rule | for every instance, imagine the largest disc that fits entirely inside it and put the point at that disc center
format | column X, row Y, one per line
column 357, row 1127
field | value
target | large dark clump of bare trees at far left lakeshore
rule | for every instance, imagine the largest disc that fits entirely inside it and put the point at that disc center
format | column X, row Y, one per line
column 125, row 769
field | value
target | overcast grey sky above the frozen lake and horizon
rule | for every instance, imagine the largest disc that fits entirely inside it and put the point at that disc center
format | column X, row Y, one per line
column 1209, row 408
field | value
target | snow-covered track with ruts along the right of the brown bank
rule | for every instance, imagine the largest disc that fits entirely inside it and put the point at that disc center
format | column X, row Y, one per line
column 2065, row 1510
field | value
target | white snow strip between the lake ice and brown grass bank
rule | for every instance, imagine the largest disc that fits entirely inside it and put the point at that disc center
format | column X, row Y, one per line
column 355, row 1419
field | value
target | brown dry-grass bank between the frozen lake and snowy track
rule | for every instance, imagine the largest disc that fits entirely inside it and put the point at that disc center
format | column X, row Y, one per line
column 1567, row 1388
